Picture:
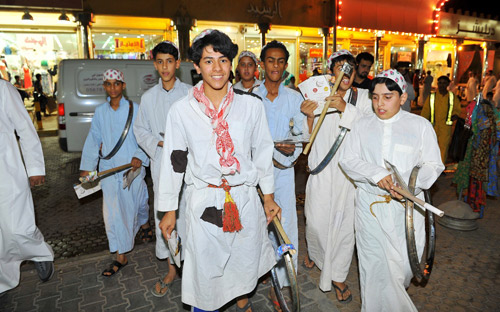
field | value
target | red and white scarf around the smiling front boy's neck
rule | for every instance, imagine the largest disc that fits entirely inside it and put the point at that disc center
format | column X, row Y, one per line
column 224, row 143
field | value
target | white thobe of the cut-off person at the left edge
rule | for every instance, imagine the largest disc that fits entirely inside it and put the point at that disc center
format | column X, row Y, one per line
column 20, row 238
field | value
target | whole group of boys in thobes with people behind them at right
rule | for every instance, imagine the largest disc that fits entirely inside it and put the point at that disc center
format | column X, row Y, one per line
column 214, row 147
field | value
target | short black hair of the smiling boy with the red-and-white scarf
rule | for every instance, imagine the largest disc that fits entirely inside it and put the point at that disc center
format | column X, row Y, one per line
column 218, row 40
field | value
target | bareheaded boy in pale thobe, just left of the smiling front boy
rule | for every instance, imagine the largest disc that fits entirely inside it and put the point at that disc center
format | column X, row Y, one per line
column 149, row 129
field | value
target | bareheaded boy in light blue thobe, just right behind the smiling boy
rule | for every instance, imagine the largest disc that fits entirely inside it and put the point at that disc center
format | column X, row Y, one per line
column 285, row 121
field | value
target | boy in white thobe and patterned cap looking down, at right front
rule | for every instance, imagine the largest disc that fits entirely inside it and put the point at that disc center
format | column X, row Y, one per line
column 405, row 140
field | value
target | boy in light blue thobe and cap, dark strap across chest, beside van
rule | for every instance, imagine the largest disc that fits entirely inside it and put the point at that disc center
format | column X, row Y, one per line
column 124, row 210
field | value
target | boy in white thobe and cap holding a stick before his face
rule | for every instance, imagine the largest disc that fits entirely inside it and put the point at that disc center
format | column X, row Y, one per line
column 329, row 205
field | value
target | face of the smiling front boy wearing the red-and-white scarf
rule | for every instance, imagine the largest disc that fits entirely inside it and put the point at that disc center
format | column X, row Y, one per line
column 215, row 69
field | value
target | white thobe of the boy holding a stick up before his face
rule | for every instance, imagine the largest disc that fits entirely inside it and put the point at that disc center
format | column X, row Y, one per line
column 329, row 205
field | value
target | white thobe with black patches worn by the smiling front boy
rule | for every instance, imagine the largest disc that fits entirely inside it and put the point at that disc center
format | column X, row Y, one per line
column 219, row 266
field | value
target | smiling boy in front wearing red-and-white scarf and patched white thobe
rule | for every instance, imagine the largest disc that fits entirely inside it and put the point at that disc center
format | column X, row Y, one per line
column 217, row 140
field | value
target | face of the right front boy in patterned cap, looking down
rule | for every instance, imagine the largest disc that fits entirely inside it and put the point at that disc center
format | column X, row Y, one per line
column 386, row 103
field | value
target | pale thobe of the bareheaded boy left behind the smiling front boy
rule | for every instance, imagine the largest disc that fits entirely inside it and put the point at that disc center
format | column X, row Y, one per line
column 149, row 129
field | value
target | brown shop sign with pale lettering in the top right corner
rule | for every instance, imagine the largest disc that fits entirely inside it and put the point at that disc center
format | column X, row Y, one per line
column 469, row 27
